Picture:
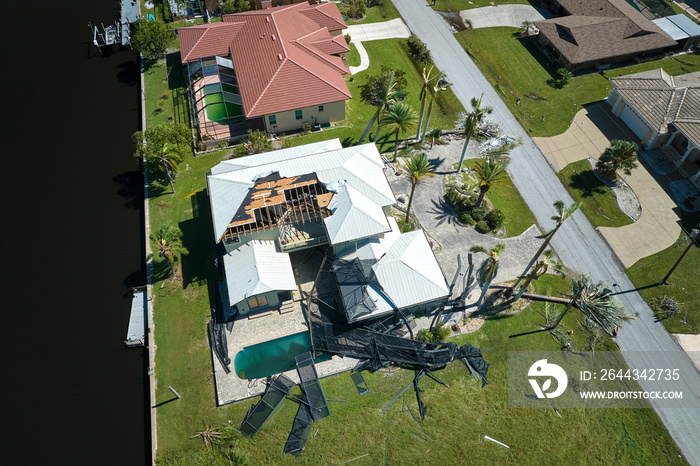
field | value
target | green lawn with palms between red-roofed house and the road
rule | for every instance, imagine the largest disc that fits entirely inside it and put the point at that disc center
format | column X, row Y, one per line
column 391, row 53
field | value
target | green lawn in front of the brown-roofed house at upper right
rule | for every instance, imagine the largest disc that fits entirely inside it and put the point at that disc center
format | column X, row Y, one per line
column 517, row 68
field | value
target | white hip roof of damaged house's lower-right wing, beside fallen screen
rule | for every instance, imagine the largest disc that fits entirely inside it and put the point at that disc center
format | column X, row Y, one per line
column 407, row 270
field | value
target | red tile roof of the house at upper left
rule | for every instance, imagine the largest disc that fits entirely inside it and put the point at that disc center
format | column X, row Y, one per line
column 283, row 56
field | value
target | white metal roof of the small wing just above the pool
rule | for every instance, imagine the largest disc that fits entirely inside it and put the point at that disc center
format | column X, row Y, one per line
column 255, row 268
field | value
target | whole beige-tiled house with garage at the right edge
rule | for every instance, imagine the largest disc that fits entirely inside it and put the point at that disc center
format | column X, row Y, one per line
column 663, row 111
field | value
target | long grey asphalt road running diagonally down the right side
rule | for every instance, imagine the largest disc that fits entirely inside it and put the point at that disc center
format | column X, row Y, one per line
column 577, row 243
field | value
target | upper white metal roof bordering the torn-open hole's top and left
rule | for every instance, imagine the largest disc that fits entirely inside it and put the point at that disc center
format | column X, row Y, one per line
column 359, row 166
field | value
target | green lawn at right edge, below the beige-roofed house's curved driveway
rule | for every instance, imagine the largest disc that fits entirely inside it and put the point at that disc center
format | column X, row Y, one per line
column 683, row 283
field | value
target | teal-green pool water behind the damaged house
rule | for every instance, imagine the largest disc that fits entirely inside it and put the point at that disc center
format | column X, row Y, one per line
column 274, row 356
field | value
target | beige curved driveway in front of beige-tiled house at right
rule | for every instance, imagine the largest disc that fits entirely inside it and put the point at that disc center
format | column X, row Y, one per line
column 588, row 136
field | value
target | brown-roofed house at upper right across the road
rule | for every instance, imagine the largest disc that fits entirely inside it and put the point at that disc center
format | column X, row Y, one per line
column 597, row 32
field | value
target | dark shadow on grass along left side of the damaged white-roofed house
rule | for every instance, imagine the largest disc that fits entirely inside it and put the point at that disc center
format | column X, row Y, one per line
column 197, row 235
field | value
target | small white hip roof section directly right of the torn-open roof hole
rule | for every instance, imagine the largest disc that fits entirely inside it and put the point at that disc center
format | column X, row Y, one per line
column 354, row 217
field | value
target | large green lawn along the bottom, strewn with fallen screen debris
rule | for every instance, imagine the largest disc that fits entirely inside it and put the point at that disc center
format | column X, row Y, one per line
column 456, row 416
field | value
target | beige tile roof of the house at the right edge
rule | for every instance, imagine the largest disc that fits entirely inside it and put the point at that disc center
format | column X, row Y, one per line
column 661, row 99
